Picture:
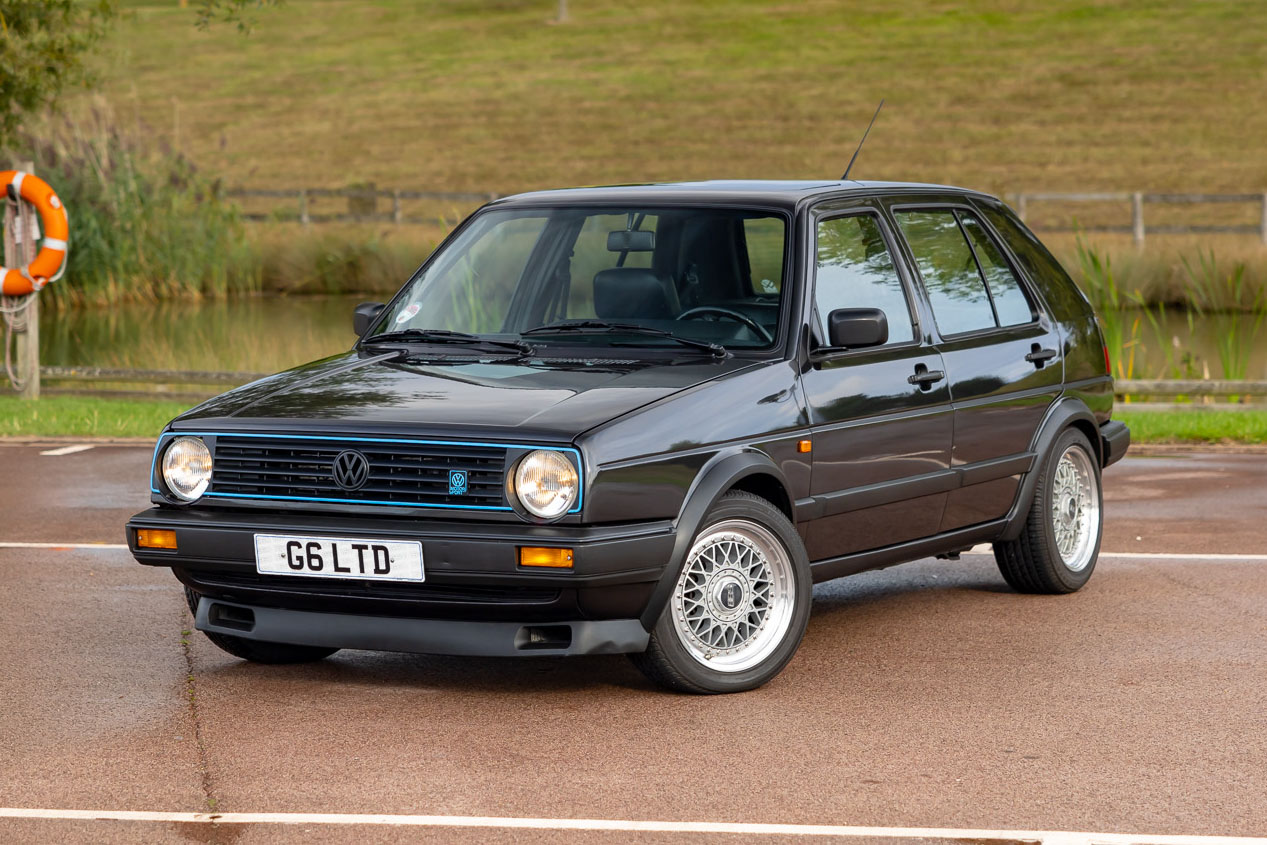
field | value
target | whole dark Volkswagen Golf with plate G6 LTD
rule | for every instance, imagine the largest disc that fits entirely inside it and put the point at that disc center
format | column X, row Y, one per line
column 647, row 420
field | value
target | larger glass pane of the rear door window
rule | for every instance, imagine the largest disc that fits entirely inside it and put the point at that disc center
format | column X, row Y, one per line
column 957, row 291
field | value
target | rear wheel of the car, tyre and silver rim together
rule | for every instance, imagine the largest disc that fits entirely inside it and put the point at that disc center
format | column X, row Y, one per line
column 1060, row 543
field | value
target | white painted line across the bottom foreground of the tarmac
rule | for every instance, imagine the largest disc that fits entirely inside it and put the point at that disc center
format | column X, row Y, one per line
column 511, row 823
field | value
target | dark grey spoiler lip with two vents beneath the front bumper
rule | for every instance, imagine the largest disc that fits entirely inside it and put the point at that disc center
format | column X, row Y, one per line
column 416, row 637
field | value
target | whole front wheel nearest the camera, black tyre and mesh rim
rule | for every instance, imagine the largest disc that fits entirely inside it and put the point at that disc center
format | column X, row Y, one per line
column 741, row 606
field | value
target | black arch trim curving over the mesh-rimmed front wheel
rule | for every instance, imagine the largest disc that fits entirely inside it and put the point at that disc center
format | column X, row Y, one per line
column 714, row 481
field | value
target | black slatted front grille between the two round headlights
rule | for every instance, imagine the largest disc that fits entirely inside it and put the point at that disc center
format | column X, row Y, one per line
column 405, row 473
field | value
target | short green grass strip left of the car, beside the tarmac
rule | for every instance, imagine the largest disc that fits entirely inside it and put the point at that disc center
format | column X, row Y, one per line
column 86, row 416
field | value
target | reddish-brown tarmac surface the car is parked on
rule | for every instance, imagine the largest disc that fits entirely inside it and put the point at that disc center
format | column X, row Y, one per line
column 927, row 696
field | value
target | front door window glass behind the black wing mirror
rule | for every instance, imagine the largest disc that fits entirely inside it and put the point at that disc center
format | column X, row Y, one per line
column 856, row 270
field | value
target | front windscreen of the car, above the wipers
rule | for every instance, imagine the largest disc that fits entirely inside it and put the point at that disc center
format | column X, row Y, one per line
column 711, row 276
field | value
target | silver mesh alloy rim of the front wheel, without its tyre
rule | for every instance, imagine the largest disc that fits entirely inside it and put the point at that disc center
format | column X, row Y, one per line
column 733, row 604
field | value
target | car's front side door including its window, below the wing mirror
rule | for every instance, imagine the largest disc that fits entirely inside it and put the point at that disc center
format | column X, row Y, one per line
column 881, row 440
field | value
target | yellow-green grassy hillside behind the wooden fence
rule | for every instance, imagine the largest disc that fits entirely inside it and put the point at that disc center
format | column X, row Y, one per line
column 491, row 96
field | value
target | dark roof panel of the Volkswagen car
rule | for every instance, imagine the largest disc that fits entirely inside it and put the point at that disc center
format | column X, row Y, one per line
column 785, row 193
